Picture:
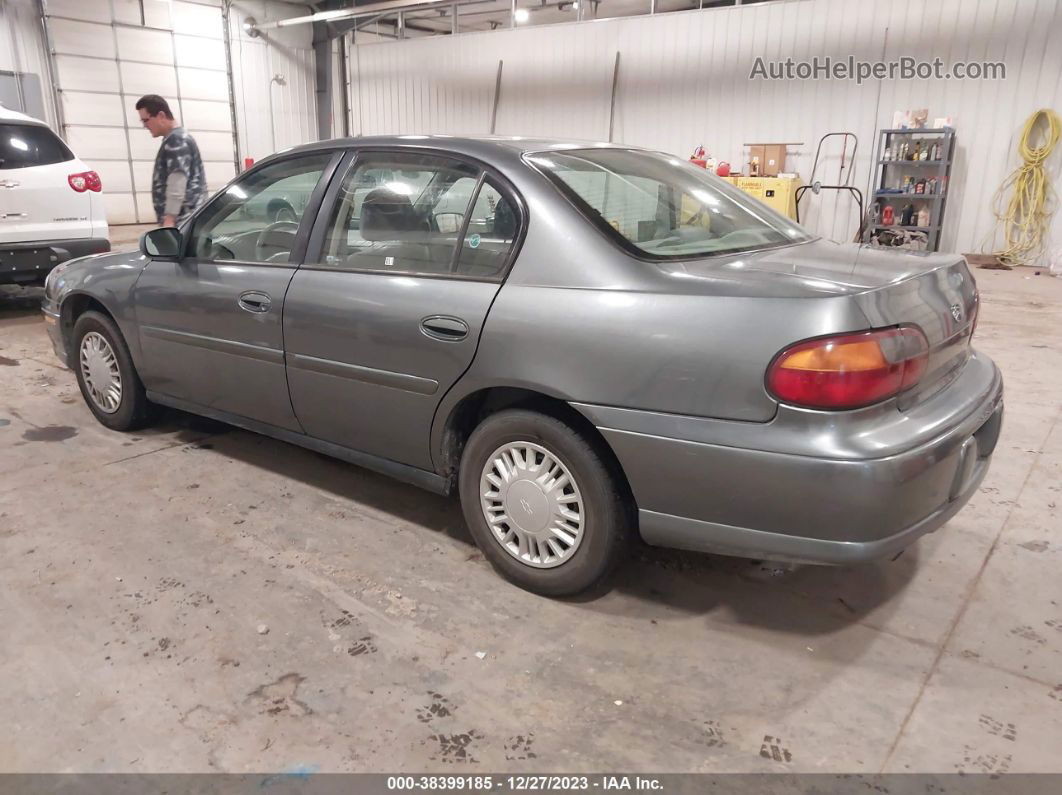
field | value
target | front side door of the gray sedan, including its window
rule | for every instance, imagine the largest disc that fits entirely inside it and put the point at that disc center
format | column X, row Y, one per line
column 211, row 323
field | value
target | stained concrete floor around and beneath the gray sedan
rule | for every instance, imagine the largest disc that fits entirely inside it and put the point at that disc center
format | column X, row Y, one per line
column 135, row 572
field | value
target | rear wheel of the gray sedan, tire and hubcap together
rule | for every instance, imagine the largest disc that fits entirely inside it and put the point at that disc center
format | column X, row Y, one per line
column 542, row 504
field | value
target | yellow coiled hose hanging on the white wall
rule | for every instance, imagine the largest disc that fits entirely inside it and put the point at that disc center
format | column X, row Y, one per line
column 1025, row 220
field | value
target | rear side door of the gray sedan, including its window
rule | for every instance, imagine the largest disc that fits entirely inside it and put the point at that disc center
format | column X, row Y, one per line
column 386, row 315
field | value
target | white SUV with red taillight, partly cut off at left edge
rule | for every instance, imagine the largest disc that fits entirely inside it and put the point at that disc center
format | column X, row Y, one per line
column 52, row 208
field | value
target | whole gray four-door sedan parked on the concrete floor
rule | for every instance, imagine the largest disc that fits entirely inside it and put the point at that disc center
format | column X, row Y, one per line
column 589, row 343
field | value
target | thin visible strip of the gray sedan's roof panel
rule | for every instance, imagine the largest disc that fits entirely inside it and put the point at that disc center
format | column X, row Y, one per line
column 476, row 146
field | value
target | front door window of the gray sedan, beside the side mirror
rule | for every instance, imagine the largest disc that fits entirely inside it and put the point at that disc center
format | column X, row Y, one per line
column 256, row 219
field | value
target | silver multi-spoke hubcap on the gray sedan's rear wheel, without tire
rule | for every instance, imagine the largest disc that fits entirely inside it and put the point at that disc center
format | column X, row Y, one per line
column 533, row 505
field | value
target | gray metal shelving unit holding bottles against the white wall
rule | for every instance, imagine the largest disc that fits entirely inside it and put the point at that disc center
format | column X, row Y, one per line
column 892, row 172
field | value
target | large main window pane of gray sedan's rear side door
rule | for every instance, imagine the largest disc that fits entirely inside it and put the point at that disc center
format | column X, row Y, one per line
column 400, row 214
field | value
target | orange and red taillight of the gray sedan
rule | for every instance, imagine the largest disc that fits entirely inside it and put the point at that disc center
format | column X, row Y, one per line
column 849, row 371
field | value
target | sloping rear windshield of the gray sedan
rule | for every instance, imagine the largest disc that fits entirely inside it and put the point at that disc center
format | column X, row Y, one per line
column 663, row 208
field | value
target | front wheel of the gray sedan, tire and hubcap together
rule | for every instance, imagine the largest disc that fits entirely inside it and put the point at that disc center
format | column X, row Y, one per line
column 106, row 374
